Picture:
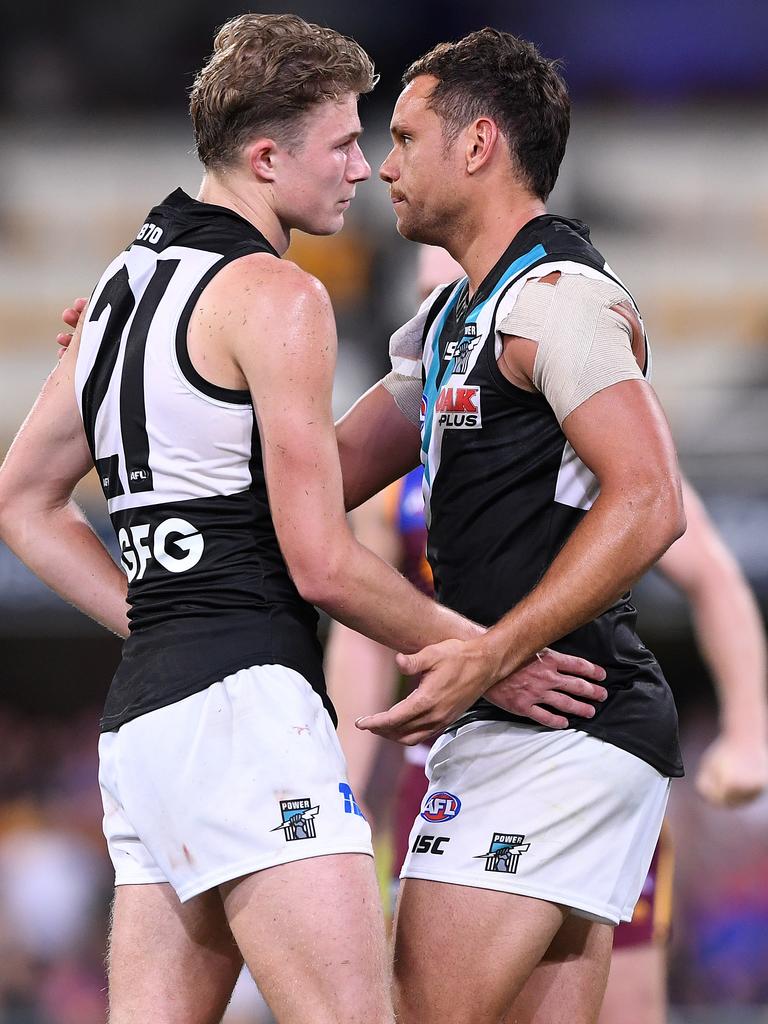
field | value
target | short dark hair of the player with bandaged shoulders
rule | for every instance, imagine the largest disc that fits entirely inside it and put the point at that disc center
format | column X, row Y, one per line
column 497, row 75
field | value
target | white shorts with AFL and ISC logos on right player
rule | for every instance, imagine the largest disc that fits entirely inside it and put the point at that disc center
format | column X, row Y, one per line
column 557, row 816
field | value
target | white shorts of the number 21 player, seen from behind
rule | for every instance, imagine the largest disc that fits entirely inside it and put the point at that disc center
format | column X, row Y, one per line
column 244, row 776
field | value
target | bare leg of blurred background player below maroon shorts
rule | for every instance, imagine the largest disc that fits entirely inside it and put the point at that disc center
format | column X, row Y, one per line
column 637, row 987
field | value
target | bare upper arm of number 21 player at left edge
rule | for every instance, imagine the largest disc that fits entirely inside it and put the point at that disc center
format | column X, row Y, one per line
column 51, row 453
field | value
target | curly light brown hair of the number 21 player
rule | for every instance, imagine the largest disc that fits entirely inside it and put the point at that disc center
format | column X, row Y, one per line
column 267, row 71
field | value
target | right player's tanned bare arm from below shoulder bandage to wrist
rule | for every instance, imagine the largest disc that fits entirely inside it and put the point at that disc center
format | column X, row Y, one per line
column 622, row 436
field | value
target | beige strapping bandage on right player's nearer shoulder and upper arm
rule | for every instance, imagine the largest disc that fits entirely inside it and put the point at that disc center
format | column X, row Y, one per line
column 584, row 346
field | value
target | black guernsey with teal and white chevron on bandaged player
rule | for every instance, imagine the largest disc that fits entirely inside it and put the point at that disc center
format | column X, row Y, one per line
column 504, row 490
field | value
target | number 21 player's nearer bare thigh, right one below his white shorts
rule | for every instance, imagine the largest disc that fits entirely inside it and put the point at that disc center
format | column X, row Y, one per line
column 313, row 936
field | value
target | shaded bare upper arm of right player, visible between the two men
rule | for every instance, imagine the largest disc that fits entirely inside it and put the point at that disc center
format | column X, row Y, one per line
column 377, row 446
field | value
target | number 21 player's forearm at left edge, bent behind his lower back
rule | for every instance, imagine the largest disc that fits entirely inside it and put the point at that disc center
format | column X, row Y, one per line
column 60, row 547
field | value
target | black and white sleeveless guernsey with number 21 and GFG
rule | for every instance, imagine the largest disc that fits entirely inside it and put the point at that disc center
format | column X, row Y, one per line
column 180, row 461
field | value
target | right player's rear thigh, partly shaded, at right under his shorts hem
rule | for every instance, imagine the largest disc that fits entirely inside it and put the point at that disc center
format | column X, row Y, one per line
column 568, row 987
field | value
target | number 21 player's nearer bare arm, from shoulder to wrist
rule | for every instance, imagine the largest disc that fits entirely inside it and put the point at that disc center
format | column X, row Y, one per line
column 288, row 364
